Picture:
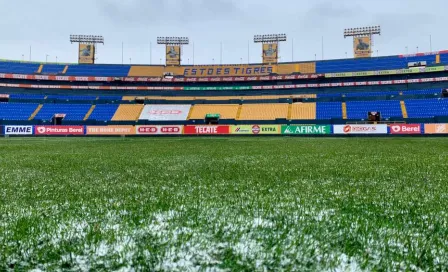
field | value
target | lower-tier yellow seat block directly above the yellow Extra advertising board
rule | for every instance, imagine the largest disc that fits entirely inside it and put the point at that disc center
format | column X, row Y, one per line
column 264, row 111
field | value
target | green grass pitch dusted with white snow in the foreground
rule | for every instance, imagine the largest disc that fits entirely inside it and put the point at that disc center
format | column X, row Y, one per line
column 223, row 204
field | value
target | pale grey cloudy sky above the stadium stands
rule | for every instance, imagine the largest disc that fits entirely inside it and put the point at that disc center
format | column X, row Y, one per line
column 45, row 25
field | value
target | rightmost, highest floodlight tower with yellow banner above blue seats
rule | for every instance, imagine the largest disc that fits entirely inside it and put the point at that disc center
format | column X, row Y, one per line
column 362, row 35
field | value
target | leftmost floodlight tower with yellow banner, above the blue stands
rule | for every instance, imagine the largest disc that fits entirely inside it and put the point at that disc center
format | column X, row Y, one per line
column 87, row 46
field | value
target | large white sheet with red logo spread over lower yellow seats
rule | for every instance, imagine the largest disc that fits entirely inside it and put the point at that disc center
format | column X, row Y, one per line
column 165, row 112
